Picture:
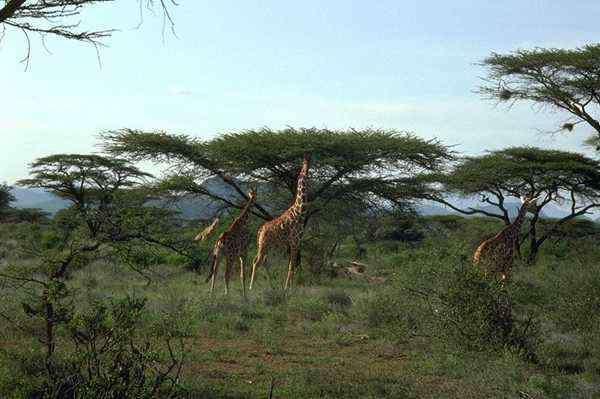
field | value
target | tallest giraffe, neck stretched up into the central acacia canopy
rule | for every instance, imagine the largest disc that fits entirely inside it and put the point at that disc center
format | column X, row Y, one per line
column 287, row 229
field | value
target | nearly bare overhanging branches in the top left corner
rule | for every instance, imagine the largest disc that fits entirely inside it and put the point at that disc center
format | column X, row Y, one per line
column 60, row 18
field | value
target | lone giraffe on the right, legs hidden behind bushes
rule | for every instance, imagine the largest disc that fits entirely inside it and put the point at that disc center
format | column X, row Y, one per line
column 496, row 254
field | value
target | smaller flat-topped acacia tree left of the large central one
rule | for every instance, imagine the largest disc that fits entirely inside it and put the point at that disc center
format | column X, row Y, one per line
column 108, row 196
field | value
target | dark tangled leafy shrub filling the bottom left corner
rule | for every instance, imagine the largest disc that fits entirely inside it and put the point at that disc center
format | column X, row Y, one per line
column 111, row 358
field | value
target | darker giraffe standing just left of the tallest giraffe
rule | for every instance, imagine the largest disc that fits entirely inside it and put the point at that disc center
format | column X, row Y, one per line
column 232, row 245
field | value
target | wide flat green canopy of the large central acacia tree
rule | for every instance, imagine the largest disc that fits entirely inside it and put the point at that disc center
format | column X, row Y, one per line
column 366, row 167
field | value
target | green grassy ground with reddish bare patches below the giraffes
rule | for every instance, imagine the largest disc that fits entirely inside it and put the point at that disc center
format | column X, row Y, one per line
column 354, row 339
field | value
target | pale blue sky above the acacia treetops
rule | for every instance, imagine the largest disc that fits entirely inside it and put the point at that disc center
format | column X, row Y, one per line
column 406, row 65
